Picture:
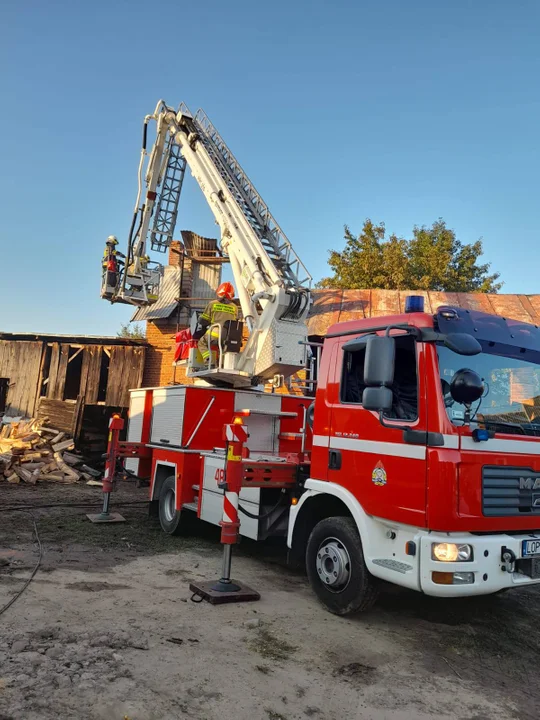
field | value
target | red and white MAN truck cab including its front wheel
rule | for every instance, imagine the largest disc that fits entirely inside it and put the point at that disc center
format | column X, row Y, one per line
column 426, row 458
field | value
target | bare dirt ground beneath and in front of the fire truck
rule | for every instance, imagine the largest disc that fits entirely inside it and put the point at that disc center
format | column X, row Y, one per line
column 107, row 630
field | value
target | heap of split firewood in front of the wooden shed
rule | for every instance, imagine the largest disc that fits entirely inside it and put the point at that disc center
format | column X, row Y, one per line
column 32, row 452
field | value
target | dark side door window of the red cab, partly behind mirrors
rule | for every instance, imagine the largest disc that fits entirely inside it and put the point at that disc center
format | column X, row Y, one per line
column 404, row 387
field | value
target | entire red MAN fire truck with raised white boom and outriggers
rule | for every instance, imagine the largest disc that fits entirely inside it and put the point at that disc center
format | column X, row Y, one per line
column 417, row 462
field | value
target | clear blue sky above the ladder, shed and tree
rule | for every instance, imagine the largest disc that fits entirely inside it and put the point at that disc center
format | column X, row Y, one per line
column 402, row 111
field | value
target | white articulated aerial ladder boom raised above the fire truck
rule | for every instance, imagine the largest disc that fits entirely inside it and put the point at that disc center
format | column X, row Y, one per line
column 272, row 283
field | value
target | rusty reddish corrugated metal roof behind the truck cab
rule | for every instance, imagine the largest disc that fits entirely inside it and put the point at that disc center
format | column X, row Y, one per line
column 332, row 306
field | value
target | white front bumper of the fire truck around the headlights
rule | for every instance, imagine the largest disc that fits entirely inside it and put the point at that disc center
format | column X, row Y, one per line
column 487, row 565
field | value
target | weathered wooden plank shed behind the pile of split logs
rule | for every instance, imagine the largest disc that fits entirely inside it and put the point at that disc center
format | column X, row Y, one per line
column 67, row 377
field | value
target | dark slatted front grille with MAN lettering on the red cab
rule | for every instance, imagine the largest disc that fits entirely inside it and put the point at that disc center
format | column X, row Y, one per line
column 510, row 491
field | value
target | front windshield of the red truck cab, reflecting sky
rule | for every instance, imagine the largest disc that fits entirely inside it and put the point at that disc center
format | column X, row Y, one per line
column 511, row 401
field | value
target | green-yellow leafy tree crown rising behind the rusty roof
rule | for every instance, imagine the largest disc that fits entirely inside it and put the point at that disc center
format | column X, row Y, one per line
column 432, row 259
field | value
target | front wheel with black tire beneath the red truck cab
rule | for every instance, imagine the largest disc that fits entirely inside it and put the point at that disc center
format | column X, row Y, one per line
column 336, row 568
